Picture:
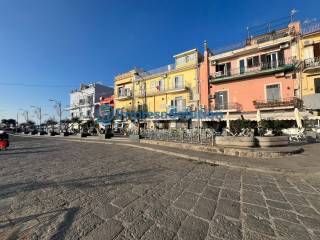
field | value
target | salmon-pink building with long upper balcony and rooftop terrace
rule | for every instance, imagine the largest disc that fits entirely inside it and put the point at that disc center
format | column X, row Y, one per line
column 259, row 74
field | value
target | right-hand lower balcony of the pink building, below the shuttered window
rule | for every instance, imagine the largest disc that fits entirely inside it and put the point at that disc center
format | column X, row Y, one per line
column 282, row 103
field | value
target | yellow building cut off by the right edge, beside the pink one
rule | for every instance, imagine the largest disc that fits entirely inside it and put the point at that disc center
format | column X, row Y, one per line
column 310, row 56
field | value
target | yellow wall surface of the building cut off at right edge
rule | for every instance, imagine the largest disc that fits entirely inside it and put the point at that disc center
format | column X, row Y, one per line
column 308, row 78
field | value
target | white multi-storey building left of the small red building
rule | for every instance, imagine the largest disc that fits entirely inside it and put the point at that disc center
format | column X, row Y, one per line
column 84, row 100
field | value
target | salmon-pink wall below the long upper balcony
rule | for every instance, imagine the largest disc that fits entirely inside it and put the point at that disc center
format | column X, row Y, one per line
column 244, row 92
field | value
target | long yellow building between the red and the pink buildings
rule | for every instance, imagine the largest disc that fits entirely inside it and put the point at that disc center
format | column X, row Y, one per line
column 172, row 87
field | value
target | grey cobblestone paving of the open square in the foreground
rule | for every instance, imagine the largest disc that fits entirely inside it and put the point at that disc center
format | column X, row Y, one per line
column 66, row 190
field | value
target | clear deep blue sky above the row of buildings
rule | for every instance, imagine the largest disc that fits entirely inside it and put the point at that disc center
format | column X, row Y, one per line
column 49, row 47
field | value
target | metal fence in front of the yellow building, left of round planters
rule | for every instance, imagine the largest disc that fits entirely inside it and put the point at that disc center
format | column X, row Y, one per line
column 199, row 136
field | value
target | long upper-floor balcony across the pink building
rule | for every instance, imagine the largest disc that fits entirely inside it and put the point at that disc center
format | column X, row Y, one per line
column 266, row 68
